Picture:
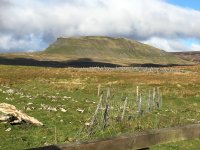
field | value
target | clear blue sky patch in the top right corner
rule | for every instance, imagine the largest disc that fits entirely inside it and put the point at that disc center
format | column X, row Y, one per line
column 194, row 4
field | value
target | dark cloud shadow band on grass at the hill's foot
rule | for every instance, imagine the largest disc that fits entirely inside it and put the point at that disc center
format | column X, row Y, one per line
column 78, row 63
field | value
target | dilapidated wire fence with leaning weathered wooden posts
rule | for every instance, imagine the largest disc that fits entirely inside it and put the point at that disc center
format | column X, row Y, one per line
column 110, row 109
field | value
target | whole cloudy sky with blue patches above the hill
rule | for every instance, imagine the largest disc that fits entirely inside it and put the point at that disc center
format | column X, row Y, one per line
column 31, row 25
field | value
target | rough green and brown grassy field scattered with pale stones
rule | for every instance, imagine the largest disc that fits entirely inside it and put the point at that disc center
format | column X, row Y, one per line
column 45, row 92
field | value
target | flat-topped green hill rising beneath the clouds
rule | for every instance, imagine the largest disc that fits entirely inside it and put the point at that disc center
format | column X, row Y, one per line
column 113, row 50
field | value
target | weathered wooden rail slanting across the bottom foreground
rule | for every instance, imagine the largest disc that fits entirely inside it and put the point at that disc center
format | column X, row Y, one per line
column 140, row 140
